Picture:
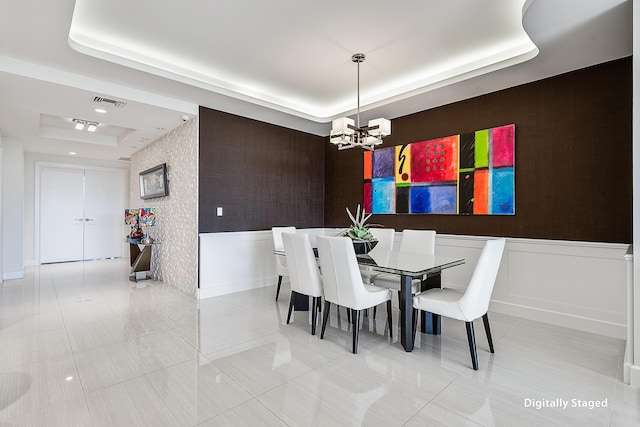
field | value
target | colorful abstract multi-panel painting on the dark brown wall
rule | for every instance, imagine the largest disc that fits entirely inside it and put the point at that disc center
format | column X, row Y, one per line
column 467, row 174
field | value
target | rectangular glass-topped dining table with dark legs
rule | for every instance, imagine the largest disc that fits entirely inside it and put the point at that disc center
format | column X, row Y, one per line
column 410, row 266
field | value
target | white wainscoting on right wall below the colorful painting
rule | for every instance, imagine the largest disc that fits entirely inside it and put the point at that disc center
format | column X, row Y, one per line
column 580, row 285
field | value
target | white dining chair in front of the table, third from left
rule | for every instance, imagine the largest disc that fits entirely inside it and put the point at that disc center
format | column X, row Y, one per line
column 343, row 284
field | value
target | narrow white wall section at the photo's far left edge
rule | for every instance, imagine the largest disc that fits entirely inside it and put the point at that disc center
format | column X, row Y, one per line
column 12, row 208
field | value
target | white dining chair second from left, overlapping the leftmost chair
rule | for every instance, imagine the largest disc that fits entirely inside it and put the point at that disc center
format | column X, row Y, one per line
column 303, row 273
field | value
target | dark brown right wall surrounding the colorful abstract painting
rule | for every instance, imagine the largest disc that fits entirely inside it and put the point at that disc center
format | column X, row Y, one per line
column 573, row 158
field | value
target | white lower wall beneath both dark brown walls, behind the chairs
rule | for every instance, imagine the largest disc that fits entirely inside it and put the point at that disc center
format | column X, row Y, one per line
column 578, row 285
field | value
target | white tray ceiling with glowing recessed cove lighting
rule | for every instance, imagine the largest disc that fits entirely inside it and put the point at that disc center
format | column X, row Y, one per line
column 285, row 62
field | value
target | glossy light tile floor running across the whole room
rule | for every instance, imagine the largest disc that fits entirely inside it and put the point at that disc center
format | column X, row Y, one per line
column 80, row 345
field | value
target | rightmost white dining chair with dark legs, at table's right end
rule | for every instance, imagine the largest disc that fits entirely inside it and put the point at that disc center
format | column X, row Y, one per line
column 473, row 303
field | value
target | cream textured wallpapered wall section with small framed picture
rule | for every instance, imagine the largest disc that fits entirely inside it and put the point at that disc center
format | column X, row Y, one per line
column 175, row 260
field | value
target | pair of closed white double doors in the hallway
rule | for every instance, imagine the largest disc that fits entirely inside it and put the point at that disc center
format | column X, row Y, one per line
column 81, row 214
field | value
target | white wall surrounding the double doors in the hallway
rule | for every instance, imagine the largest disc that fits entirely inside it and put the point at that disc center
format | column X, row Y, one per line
column 30, row 160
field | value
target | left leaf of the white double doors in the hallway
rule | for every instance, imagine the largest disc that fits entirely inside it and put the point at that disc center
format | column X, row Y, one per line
column 61, row 215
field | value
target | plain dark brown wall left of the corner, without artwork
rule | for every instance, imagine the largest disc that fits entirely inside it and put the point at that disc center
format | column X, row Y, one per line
column 262, row 175
